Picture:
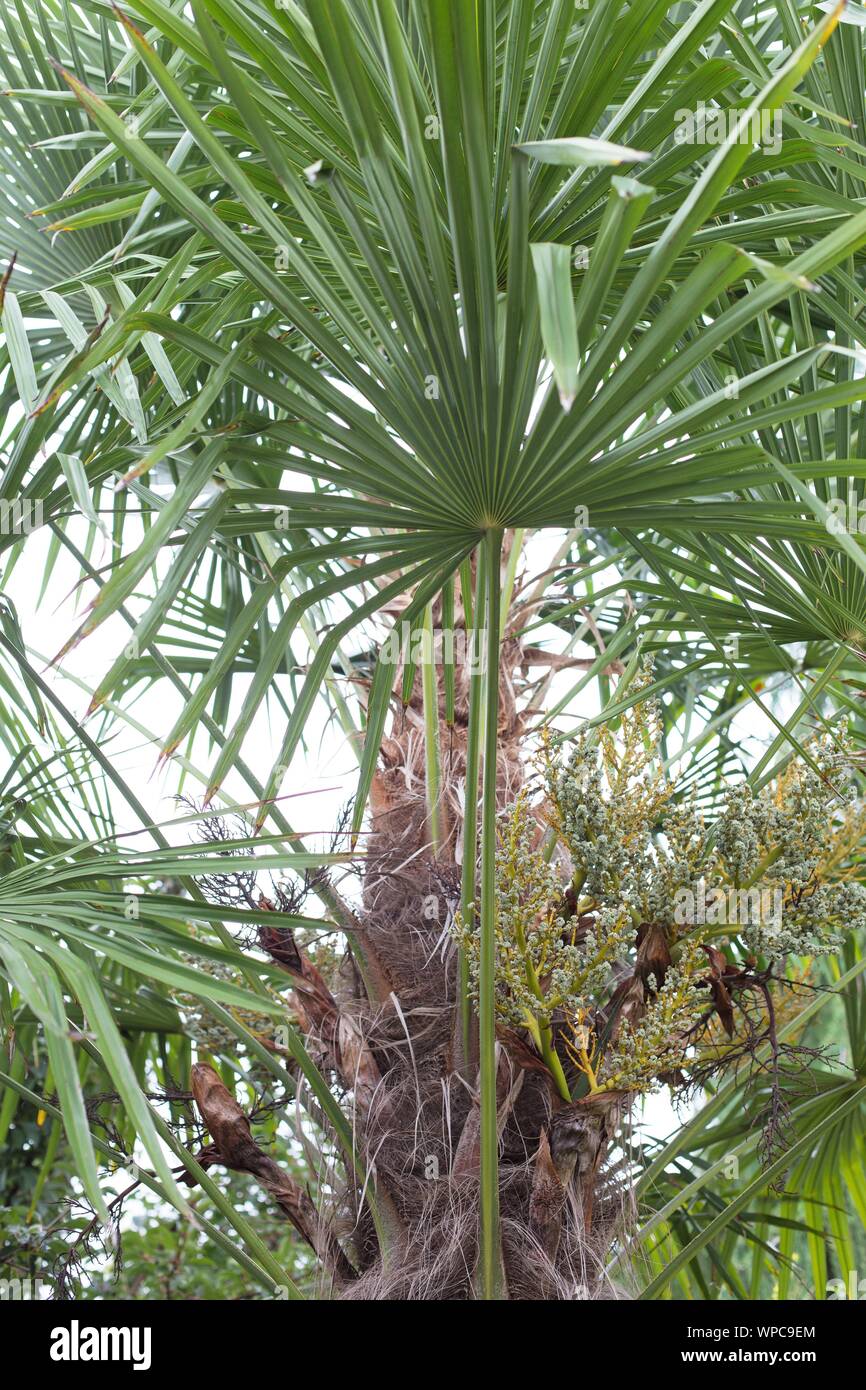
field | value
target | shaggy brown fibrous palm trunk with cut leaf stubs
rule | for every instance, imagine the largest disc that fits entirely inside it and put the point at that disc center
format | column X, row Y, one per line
column 416, row 1074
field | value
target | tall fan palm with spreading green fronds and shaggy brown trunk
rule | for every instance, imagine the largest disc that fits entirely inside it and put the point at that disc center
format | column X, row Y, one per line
column 323, row 315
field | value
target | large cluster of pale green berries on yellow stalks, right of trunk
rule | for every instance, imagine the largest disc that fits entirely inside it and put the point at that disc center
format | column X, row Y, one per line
column 625, row 924
